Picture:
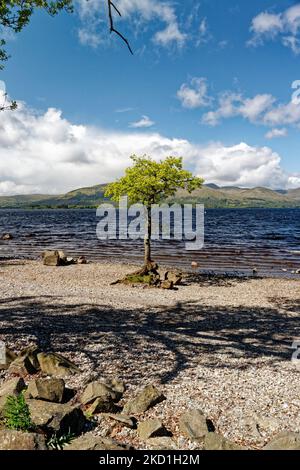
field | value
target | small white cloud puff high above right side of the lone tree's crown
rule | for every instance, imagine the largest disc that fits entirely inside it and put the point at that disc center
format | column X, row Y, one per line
column 194, row 95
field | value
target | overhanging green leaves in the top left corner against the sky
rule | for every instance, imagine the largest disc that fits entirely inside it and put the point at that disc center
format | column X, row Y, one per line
column 16, row 14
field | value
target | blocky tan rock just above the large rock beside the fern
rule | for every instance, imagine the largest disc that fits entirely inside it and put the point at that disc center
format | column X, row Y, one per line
column 46, row 389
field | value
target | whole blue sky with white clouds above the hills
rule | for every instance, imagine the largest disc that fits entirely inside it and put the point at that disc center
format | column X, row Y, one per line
column 209, row 79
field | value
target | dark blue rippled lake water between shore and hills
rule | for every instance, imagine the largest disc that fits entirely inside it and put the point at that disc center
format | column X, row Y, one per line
column 236, row 241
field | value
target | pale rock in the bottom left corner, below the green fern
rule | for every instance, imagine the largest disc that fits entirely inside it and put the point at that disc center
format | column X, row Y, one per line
column 17, row 440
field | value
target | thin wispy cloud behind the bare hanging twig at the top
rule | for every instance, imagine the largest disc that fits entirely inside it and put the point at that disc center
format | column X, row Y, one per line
column 93, row 16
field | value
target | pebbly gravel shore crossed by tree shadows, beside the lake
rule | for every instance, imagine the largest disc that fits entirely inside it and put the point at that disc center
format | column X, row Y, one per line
column 220, row 345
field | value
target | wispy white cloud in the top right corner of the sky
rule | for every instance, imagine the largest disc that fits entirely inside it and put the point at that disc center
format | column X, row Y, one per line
column 284, row 25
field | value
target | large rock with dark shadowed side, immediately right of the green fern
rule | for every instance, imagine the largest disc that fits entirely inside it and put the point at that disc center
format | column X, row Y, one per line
column 57, row 418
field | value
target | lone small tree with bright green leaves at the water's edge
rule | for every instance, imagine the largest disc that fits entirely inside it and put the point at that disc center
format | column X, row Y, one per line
column 150, row 182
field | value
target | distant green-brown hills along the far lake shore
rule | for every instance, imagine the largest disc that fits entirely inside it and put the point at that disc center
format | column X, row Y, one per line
column 211, row 195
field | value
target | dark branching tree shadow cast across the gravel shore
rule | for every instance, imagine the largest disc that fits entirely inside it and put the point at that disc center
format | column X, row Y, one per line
column 156, row 344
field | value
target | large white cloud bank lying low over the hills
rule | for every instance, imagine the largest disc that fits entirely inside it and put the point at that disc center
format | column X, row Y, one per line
column 46, row 153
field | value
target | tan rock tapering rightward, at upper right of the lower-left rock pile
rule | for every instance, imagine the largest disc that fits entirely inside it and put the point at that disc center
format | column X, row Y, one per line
column 55, row 364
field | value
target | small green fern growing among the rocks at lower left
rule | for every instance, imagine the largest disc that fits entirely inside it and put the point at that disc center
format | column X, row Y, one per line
column 16, row 414
